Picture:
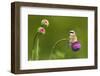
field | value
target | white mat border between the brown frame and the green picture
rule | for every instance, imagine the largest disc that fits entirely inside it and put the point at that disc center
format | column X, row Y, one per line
column 25, row 64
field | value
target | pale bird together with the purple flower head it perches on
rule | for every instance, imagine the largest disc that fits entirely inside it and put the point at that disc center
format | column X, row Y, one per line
column 74, row 43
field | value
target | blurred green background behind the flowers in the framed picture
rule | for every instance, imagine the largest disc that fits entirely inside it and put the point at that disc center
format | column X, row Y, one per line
column 59, row 27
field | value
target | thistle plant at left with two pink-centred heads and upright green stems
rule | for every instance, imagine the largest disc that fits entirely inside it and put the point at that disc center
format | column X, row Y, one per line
column 40, row 31
